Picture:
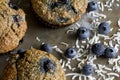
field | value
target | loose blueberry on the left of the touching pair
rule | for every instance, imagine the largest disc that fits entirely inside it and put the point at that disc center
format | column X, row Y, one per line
column 98, row 49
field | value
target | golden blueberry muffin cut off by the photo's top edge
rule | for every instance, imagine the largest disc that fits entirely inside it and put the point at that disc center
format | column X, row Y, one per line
column 59, row 12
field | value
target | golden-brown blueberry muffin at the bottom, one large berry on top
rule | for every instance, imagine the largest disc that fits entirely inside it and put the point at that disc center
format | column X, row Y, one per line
column 33, row 65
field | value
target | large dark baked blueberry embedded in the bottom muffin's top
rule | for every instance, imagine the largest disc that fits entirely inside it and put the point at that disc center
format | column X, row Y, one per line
column 47, row 65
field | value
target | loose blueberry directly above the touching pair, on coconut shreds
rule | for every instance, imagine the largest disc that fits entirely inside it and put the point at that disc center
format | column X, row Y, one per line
column 104, row 28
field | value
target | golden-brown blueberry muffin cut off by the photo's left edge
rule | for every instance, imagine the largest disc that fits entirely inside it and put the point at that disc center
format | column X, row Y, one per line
column 12, row 26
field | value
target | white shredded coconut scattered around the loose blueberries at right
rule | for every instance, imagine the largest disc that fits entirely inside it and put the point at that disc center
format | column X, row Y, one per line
column 85, row 56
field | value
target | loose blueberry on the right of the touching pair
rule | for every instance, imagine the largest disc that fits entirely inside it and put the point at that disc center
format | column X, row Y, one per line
column 110, row 52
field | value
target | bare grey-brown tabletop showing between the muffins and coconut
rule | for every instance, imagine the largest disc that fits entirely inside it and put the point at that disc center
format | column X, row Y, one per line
column 47, row 35
